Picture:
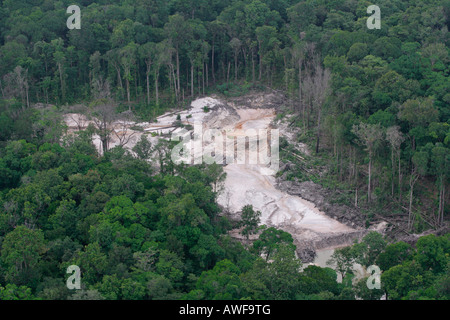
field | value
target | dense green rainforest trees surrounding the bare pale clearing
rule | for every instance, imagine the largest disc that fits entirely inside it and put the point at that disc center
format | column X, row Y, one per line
column 373, row 104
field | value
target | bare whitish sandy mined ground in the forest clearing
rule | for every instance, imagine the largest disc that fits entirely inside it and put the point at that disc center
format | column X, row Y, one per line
column 249, row 184
